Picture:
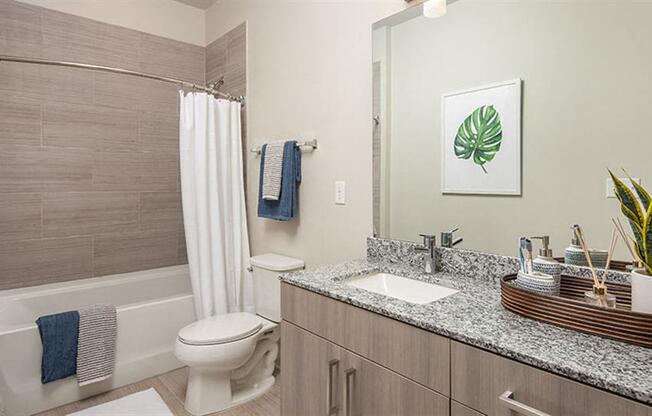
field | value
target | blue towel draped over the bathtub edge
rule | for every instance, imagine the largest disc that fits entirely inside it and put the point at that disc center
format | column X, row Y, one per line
column 59, row 334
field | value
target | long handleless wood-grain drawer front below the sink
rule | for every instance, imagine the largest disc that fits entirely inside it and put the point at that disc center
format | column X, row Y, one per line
column 412, row 352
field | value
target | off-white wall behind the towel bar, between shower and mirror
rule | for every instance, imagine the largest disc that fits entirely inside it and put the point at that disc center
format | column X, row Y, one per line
column 309, row 75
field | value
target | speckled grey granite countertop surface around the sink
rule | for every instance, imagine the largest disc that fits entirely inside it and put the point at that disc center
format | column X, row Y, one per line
column 475, row 316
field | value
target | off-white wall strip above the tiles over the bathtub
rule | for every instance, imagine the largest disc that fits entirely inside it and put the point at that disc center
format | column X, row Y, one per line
column 166, row 18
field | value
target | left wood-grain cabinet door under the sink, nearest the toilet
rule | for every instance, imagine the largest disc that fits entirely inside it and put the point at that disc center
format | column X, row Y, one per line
column 310, row 374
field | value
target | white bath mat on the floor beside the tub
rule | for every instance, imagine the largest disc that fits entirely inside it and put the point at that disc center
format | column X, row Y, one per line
column 143, row 403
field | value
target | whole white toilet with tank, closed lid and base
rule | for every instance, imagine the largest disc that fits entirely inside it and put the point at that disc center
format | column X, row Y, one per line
column 232, row 357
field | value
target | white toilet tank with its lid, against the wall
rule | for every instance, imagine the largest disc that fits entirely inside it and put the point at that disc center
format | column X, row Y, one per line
column 267, row 287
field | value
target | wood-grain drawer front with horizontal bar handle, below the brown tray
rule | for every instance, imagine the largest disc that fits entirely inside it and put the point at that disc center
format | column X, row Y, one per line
column 479, row 378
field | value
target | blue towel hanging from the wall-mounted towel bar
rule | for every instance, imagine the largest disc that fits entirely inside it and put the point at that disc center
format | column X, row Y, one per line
column 287, row 206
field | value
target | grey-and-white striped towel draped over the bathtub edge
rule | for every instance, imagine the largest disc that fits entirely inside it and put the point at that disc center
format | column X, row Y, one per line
column 96, row 345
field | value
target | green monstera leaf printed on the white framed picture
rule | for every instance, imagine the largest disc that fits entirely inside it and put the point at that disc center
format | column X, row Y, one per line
column 480, row 136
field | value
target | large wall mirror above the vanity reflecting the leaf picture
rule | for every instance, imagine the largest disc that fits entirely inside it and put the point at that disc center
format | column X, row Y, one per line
column 502, row 118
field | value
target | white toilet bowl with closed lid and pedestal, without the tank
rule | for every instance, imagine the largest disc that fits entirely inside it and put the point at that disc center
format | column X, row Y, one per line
column 230, row 358
